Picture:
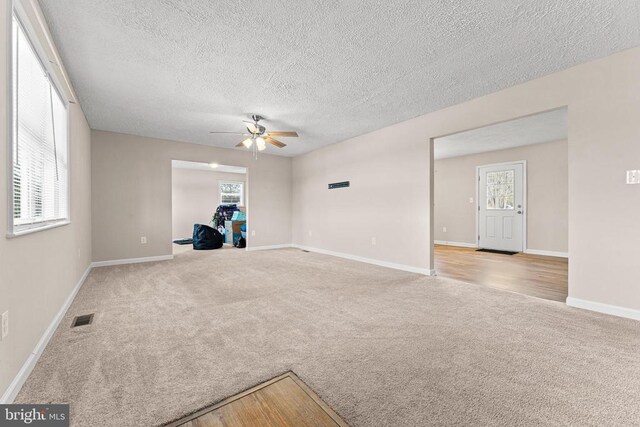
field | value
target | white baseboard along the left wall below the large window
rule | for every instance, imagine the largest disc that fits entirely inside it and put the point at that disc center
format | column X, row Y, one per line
column 19, row 380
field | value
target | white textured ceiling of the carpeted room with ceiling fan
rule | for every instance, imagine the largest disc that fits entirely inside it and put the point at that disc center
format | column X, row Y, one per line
column 330, row 70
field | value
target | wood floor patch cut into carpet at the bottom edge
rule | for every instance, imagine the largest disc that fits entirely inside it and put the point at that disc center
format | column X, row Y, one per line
column 283, row 401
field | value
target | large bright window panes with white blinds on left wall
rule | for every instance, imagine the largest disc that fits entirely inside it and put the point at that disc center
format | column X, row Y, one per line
column 39, row 143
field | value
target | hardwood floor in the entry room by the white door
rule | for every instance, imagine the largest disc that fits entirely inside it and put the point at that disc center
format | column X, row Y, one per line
column 538, row 276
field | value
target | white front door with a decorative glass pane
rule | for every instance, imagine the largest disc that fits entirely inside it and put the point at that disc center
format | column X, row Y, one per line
column 501, row 206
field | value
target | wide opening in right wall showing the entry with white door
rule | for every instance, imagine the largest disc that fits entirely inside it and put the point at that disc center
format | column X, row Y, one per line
column 501, row 205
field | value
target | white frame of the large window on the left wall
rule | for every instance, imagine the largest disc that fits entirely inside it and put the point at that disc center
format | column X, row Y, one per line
column 16, row 12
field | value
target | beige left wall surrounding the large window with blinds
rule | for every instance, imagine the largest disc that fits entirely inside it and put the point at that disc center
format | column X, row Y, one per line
column 38, row 271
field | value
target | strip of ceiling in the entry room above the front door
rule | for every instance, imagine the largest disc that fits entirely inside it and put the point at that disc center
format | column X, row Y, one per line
column 536, row 129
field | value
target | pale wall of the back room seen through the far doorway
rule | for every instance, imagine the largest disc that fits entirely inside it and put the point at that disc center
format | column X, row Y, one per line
column 195, row 195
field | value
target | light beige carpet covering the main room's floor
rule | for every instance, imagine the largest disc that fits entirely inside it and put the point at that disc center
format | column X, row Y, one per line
column 382, row 347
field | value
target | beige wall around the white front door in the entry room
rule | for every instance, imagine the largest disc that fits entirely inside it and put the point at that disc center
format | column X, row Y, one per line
column 547, row 195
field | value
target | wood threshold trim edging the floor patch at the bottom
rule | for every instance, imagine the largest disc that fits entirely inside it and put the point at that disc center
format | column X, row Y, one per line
column 287, row 375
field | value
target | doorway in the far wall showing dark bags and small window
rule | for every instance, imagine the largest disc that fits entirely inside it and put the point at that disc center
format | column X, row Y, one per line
column 209, row 194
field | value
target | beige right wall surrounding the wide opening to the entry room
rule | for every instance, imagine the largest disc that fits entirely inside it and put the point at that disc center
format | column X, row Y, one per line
column 603, row 99
